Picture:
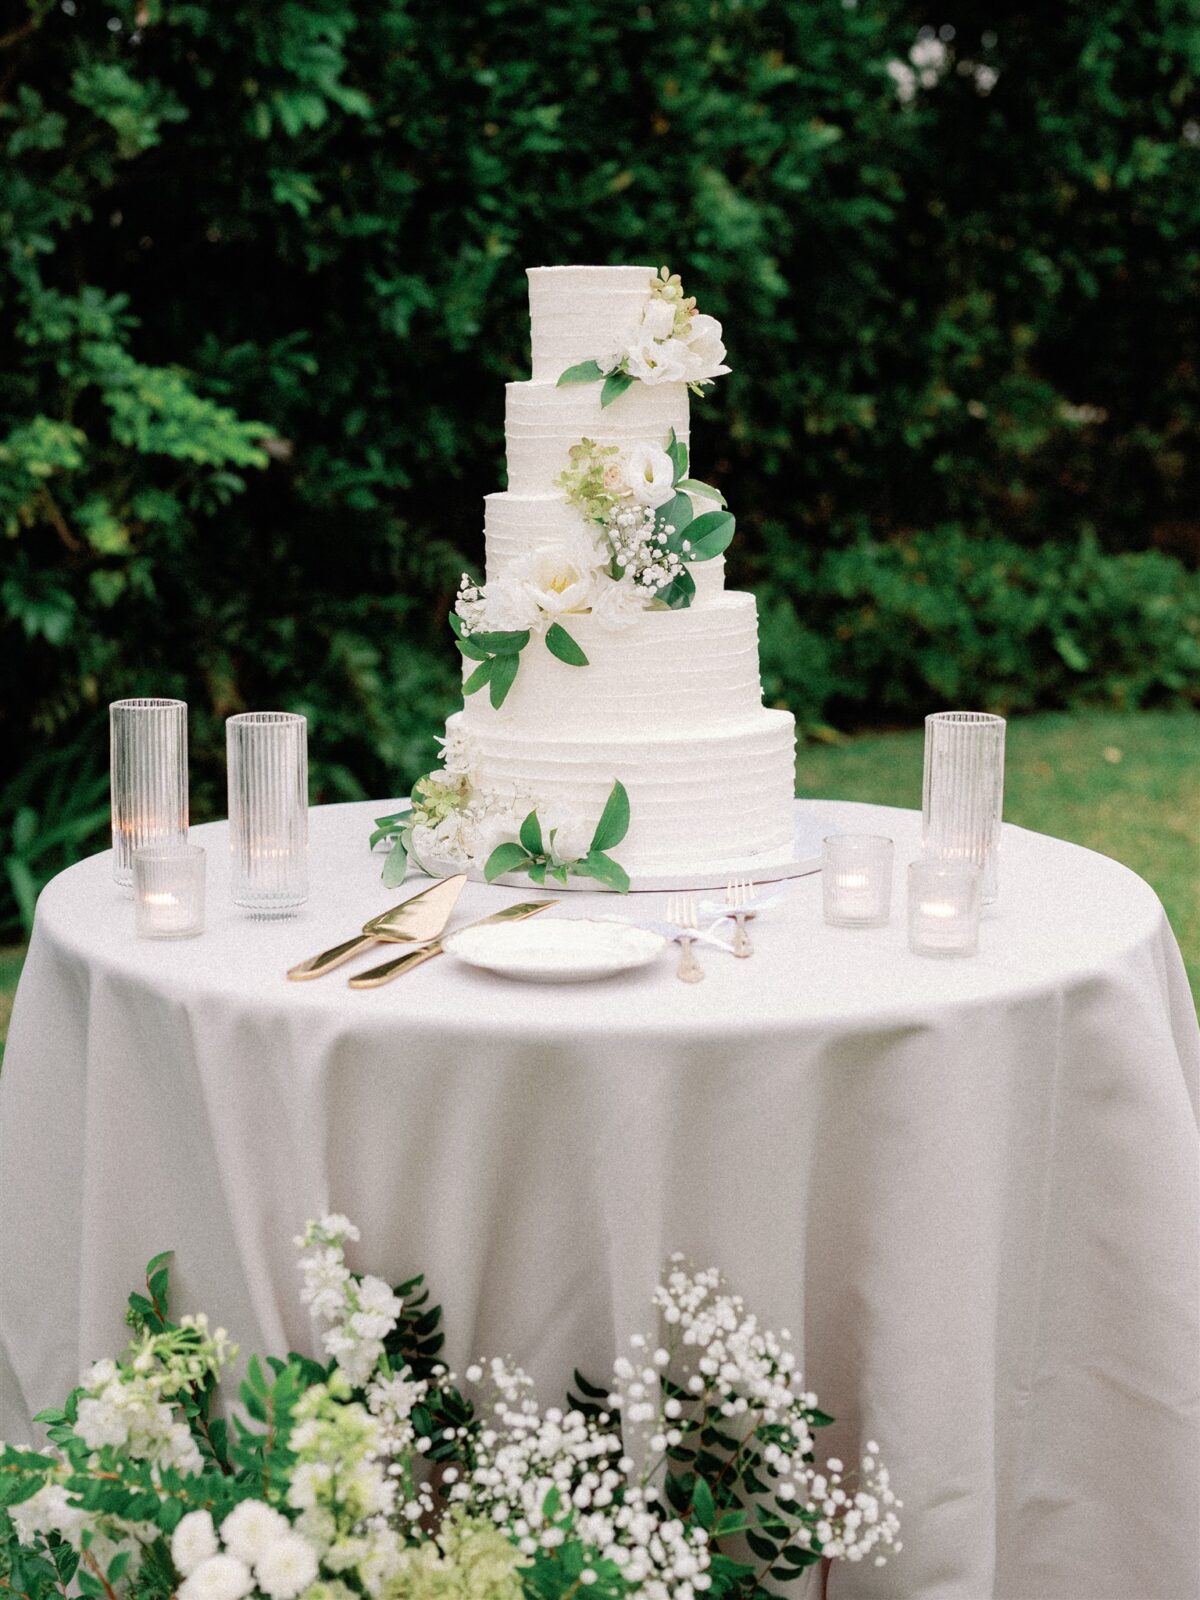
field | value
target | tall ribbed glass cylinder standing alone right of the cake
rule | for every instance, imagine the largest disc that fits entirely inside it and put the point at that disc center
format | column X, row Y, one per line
column 964, row 791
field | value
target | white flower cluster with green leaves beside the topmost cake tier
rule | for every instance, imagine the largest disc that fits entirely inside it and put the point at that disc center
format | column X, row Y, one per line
column 674, row 345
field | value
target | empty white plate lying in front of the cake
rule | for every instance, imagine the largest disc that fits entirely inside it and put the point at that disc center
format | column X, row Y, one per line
column 559, row 951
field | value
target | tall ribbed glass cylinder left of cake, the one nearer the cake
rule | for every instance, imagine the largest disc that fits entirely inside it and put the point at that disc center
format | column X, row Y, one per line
column 270, row 812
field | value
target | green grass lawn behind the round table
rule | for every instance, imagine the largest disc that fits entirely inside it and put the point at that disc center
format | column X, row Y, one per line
column 1122, row 783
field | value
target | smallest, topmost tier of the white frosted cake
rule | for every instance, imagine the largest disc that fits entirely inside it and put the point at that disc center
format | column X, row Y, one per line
column 583, row 314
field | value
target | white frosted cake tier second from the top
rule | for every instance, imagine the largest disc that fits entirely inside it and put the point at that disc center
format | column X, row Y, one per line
column 542, row 423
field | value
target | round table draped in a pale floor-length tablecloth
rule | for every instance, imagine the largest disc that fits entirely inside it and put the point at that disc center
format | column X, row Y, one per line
column 969, row 1186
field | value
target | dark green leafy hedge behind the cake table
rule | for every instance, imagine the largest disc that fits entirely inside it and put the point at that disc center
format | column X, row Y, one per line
column 262, row 282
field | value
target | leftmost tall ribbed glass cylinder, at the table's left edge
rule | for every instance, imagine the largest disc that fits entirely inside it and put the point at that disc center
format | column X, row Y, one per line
column 148, row 778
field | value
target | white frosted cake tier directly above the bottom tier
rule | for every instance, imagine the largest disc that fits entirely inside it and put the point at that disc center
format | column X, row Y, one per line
column 666, row 674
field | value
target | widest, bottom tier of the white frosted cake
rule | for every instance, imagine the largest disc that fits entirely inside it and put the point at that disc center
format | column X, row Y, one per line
column 697, row 801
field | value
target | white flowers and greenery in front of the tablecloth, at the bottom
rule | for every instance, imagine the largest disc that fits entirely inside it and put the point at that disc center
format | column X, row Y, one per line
column 690, row 1474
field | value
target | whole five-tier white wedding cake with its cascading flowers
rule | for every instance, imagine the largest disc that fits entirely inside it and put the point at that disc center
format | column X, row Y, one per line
column 614, row 722
